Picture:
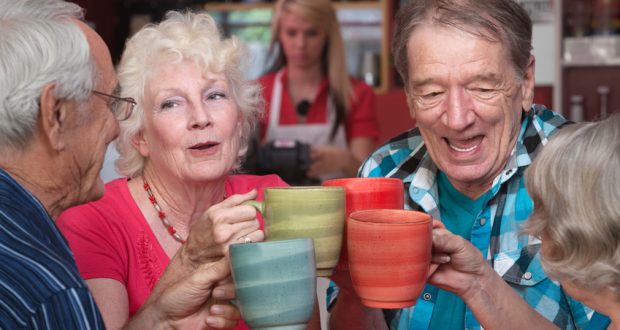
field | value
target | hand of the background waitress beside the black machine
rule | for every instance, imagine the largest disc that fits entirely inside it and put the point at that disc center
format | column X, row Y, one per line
column 327, row 159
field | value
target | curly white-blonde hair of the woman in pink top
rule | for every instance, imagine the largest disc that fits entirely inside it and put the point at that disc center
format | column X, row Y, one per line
column 193, row 36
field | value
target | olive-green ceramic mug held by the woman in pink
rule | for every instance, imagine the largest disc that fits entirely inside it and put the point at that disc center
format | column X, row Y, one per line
column 312, row 211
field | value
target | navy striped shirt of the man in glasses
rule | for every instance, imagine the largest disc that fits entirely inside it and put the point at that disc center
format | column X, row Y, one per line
column 40, row 286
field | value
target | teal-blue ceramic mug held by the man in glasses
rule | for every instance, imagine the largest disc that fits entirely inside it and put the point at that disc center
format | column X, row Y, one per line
column 275, row 283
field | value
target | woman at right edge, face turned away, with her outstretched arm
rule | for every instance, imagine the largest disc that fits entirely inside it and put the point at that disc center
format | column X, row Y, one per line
column 575, row 186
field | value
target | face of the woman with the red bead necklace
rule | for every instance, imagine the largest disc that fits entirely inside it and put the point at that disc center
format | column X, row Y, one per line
column 192, row 126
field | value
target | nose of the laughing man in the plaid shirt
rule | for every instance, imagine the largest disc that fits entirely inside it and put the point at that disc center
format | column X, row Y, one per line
column 459, row 112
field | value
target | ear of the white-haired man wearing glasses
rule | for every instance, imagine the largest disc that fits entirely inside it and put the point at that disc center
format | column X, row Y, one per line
column 53, row 117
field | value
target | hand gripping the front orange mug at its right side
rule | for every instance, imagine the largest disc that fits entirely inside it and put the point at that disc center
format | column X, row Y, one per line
column 460, row 263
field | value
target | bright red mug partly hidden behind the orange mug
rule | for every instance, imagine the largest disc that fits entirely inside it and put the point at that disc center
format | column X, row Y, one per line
column 364, row 194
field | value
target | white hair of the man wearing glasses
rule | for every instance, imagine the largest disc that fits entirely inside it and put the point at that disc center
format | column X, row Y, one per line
column 39, row 44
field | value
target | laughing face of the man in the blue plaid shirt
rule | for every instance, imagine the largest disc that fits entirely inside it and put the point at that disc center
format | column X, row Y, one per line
column 467, row 101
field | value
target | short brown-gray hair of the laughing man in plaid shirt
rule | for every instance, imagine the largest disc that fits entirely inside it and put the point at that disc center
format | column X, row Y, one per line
column 502, row 21
